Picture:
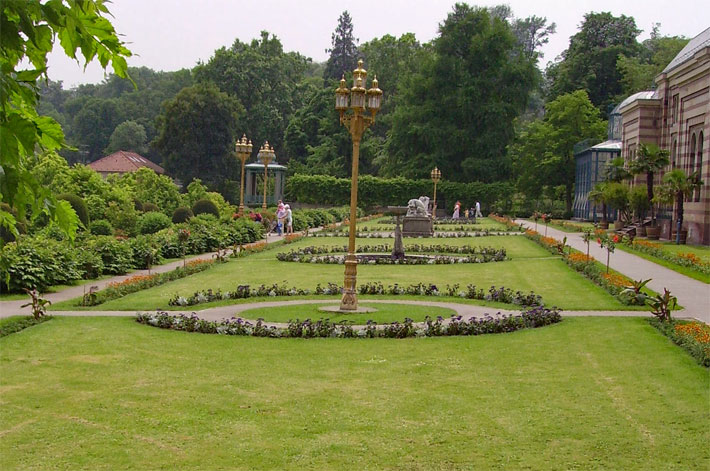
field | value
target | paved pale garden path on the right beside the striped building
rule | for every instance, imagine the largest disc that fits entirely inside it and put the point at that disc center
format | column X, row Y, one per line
column 692, row 294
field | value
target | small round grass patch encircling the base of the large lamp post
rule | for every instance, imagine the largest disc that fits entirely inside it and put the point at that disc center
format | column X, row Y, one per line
column 385, row 313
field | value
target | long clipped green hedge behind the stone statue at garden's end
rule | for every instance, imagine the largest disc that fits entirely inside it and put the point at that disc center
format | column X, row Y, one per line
column 376, row 191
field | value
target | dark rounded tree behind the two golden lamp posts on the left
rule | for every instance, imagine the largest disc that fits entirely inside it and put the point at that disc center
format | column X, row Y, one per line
column 197, row 132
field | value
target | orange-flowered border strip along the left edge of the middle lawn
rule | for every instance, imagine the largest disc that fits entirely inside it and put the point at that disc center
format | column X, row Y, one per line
column 140, row 282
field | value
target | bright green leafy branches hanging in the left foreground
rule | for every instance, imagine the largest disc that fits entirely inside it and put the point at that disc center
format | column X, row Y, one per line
column 27, row 35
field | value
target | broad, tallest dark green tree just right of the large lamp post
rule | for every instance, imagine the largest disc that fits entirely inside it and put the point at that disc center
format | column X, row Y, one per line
column 456, row 112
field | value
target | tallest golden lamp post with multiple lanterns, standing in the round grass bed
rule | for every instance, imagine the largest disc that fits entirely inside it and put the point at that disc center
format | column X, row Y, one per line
column 357, row 121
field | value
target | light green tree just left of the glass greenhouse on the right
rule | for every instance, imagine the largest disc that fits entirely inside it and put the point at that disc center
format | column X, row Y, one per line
column 544, row 151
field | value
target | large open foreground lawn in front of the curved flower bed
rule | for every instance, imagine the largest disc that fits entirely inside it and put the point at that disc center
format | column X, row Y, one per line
column 588, row 393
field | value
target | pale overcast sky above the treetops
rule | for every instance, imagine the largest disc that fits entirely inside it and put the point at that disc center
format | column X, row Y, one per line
column 174, row 34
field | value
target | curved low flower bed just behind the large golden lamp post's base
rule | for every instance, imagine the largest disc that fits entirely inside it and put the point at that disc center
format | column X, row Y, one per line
column 501, row 294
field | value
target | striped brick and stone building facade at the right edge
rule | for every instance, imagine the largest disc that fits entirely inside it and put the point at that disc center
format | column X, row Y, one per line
column 676, row 117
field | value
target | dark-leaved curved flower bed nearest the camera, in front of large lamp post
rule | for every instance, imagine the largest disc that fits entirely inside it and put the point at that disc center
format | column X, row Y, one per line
column 323, row 328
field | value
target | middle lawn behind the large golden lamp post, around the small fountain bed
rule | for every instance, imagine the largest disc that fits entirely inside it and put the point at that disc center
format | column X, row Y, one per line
column 531, row 268
